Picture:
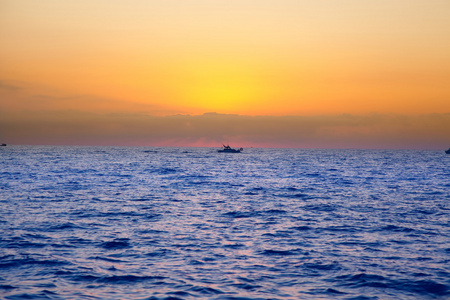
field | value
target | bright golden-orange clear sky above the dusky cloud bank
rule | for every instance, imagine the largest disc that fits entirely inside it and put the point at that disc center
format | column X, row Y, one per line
column 249, row 58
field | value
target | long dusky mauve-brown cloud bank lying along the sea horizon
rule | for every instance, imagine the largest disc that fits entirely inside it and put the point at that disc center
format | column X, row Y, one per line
column 211, row 129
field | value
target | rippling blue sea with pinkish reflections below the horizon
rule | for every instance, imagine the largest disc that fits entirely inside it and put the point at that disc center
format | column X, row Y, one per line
column 191, row 223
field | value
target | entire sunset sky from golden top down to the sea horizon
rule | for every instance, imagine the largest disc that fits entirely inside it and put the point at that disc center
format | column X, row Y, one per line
column 253, row 73
